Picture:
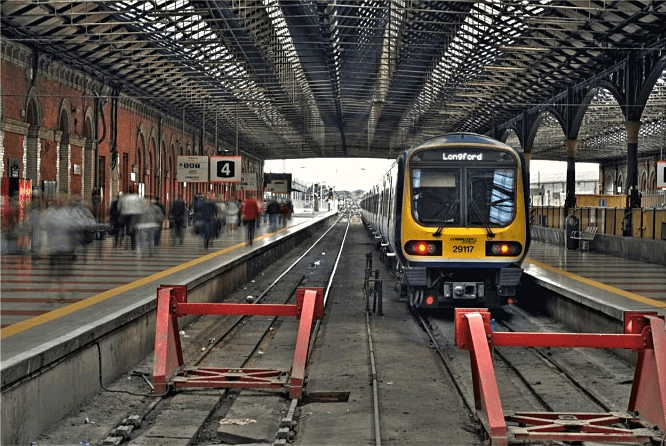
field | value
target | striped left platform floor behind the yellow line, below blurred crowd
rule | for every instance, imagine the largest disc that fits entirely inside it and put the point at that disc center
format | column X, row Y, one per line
column 30, row 288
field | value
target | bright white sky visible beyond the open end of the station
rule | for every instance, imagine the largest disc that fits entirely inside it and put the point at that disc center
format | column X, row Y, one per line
column 362, row 173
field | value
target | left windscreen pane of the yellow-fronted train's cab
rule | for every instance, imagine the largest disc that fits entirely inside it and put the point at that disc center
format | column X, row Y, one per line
column 435, row 196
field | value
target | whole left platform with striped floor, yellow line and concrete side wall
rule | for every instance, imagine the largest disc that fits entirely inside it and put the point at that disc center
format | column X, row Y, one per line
column 58, row 334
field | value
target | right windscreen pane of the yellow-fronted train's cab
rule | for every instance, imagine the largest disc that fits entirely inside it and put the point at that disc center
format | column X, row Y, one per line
column 491, row 197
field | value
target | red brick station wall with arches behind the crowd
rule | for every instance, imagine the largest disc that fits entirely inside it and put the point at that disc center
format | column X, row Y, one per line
column 56, row 142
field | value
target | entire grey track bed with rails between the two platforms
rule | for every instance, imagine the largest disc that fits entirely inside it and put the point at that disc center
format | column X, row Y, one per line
column 404, row 384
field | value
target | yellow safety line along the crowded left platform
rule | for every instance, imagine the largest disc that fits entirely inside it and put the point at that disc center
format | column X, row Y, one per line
column 93, row 300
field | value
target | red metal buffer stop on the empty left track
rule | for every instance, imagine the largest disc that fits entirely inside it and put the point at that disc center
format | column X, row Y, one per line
column 168, row 369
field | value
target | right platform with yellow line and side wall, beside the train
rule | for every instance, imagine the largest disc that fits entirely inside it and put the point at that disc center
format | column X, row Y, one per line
column 608, row 285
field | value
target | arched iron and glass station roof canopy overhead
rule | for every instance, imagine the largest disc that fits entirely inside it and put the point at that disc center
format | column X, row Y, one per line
column 300, row 79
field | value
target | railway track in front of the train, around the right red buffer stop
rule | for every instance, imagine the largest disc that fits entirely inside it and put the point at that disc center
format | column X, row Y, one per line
column 560, row 380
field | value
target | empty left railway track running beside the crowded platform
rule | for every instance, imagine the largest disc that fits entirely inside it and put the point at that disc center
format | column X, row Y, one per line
column 128, row 411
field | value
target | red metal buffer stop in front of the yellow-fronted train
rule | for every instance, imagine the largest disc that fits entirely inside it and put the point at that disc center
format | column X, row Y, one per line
column 644, row 333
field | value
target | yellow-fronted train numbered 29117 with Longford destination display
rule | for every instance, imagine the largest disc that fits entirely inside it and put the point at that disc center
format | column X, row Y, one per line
column 454, row 213
